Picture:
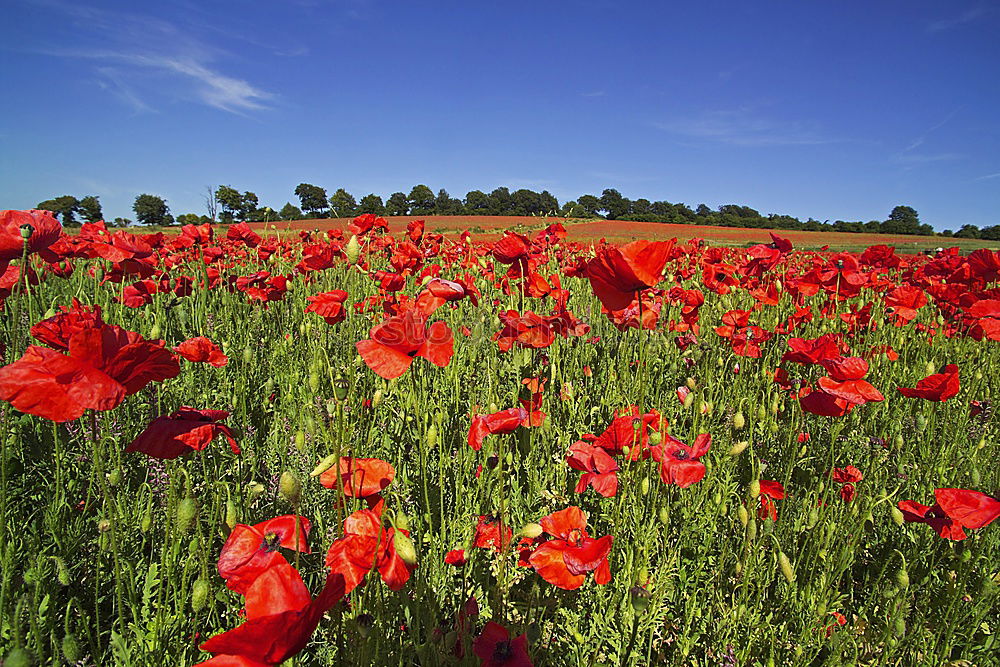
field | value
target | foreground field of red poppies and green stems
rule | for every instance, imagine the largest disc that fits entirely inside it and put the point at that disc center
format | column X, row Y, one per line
column 372, row 447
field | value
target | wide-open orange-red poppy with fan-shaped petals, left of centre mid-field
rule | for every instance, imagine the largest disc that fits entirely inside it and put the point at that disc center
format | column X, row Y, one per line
column 394, row 343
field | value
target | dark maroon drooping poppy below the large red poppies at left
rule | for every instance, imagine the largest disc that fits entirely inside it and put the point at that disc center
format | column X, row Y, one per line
column 187, row 429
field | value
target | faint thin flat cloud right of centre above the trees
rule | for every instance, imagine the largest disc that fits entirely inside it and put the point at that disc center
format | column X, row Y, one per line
column 744, row 127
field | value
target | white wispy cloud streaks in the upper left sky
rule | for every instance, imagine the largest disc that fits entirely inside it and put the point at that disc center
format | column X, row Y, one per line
column 138, row 57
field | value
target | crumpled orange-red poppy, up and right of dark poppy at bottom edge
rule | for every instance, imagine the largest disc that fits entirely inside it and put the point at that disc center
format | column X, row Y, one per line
column 565, row 559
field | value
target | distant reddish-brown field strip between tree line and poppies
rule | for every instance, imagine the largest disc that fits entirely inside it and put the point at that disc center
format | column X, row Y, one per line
column 584, row 231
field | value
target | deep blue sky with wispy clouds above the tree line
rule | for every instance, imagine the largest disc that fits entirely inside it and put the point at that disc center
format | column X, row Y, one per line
column 838, row 110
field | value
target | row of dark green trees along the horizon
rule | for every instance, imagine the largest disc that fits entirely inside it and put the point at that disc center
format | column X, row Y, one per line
column 227, row 204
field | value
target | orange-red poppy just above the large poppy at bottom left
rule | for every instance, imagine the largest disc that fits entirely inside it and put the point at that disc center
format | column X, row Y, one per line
column 250, row 550
